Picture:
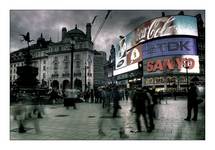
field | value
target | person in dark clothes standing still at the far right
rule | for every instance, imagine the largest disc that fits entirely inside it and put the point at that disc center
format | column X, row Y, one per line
column 192, row 102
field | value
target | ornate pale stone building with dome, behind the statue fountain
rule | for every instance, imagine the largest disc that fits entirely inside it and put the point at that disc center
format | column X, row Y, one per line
column 53, row 60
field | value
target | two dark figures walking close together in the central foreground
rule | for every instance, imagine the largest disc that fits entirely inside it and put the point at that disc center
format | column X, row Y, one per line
column 143, row 106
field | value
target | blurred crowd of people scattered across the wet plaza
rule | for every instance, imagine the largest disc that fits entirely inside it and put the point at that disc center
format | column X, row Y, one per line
column 143, row 104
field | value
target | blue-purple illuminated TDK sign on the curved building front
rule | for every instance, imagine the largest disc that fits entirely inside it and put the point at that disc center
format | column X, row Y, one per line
column 170, row 46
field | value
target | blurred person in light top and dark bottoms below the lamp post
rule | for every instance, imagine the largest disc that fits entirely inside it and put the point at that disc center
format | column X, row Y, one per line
column 71, row 96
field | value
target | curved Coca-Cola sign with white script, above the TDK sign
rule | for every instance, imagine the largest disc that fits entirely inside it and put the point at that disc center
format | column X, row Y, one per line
column 165, row 26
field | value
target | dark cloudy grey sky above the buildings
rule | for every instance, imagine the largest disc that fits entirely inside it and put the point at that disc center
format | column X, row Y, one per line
column 50, row 23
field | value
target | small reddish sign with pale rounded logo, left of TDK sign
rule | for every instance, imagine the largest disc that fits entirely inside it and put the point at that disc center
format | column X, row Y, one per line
column 135, row 55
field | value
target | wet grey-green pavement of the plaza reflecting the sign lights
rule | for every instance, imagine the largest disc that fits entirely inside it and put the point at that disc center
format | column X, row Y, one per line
column 82, row 123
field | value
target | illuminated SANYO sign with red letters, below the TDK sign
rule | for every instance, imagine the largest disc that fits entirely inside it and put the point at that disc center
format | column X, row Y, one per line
column 171, row 65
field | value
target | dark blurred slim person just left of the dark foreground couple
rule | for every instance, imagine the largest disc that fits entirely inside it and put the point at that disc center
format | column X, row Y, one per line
column 116, row 99
